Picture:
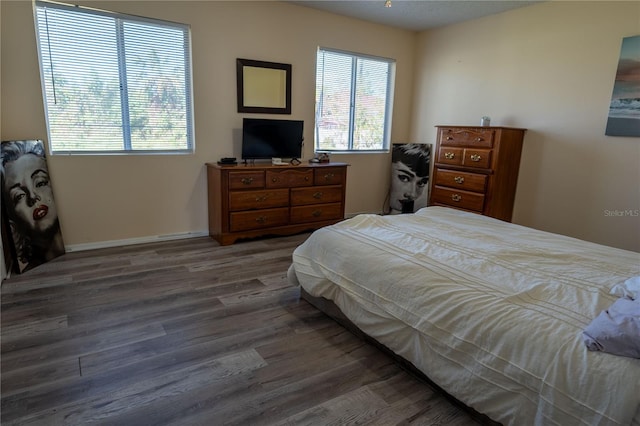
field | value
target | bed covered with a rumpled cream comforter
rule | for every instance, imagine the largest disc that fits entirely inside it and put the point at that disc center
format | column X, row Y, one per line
column 492, row 312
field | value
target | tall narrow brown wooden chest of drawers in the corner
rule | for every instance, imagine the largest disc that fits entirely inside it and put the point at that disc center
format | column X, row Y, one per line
column 476, row 169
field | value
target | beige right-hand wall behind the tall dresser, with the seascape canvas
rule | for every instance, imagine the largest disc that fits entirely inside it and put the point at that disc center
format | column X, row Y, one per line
column 549, row 68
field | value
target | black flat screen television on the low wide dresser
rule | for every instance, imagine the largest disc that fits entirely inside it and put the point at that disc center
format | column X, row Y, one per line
column 268, row 138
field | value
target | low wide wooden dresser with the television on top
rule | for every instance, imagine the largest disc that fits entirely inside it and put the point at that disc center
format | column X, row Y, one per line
column 248, row 201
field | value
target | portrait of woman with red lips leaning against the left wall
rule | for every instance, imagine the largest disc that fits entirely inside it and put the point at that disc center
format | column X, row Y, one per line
column 28, row 205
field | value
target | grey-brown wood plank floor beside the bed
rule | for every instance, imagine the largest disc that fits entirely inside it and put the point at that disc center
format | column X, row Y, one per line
column 190, row 333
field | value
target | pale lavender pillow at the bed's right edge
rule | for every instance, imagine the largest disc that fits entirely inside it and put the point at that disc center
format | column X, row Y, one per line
column 616, row 330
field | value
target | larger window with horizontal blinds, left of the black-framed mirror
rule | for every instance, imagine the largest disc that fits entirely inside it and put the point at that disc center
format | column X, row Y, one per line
column 114, row 83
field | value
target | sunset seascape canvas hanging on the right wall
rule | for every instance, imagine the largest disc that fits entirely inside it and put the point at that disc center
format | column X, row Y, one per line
column 624, row 110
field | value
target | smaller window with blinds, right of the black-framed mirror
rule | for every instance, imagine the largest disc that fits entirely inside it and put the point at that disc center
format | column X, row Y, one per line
column 354, row 98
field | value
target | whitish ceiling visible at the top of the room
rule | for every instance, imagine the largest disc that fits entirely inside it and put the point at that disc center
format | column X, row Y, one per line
column 416, row 15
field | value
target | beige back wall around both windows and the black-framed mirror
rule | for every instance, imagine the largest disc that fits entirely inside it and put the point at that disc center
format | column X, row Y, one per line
column 112, row 199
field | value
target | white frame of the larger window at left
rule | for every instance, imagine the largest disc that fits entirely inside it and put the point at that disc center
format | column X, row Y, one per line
column 119, row 20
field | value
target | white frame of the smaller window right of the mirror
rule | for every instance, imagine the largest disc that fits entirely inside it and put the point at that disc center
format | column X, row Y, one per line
column 390, row 88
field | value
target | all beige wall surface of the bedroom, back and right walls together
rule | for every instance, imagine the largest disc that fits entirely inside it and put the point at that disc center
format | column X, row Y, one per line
column 547, row 67
